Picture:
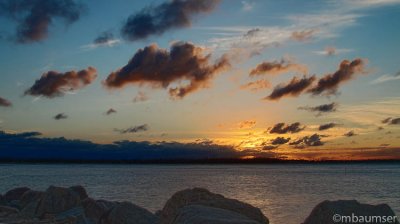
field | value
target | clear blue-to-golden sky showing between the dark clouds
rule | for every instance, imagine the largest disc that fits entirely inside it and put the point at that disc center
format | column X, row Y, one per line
column 318, row 35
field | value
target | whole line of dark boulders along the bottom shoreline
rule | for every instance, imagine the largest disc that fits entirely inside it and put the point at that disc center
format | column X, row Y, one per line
column 72, row 205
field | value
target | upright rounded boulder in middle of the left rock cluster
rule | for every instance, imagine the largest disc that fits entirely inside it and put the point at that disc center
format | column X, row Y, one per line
column 57, row 200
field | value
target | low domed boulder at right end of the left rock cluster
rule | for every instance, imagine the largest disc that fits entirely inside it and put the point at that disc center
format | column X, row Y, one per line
column 128, row 213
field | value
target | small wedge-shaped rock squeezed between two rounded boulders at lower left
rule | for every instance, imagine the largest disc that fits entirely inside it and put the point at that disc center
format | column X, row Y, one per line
column 96, row 209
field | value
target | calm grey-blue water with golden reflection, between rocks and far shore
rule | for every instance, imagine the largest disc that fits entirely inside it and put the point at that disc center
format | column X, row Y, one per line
column 285, row 193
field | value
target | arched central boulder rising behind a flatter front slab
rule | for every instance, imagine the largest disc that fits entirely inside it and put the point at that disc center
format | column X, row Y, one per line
column 199, row 196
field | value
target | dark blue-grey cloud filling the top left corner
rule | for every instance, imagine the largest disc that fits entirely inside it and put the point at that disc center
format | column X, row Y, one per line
column 33, row 17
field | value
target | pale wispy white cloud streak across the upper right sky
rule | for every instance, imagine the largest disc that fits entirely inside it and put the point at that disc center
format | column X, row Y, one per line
column 323, row 24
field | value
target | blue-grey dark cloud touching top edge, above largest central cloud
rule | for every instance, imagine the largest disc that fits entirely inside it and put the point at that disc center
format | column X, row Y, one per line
column 155, row 20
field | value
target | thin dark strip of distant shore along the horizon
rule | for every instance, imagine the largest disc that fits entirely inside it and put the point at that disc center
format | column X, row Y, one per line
column 197, row 161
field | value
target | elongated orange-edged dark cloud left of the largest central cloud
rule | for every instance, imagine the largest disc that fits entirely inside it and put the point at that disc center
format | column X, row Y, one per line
column 54, row 84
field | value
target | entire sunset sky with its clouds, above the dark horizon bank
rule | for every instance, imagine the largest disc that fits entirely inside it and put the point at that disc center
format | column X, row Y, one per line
column 284, row 79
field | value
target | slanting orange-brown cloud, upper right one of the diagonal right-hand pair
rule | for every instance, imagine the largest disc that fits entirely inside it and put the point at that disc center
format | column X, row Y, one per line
column 330, row 83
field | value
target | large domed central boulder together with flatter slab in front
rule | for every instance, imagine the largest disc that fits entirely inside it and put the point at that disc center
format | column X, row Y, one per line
column 224, row 210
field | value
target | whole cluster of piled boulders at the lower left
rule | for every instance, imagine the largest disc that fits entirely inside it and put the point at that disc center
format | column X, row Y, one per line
column 60, row 205
